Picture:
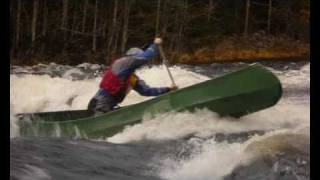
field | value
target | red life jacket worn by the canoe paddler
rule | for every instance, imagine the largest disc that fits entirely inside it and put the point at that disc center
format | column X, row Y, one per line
column 117, row 87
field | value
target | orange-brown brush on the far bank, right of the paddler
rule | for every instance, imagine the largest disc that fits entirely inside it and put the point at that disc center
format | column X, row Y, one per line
column 258, row 47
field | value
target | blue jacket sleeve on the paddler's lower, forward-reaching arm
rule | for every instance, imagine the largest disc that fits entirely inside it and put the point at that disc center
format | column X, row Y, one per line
column 145, row 90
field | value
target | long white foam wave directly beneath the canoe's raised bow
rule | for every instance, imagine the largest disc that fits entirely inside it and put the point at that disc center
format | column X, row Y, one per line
column 205, row 123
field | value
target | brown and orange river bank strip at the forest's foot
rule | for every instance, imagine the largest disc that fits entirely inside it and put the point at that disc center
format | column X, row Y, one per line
column 257, row 47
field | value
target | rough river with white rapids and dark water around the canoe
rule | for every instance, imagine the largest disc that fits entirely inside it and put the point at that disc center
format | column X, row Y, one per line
column 269, row 144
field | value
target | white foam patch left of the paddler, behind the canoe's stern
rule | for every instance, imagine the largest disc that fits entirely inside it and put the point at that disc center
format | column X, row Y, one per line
column 34, row 93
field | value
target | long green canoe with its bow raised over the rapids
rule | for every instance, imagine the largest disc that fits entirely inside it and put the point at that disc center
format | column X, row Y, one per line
column 236, row 94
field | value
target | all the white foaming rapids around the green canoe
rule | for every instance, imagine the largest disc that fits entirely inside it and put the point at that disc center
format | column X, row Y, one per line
column 209, row 159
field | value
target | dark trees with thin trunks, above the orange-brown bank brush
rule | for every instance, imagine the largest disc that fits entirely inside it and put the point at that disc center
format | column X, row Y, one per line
column 64, row 29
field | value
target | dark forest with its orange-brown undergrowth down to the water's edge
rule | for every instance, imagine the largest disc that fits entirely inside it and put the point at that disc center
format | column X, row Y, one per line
column 194, row 31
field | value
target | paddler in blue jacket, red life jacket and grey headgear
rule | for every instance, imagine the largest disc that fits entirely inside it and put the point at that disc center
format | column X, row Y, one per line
column 120, row 78
